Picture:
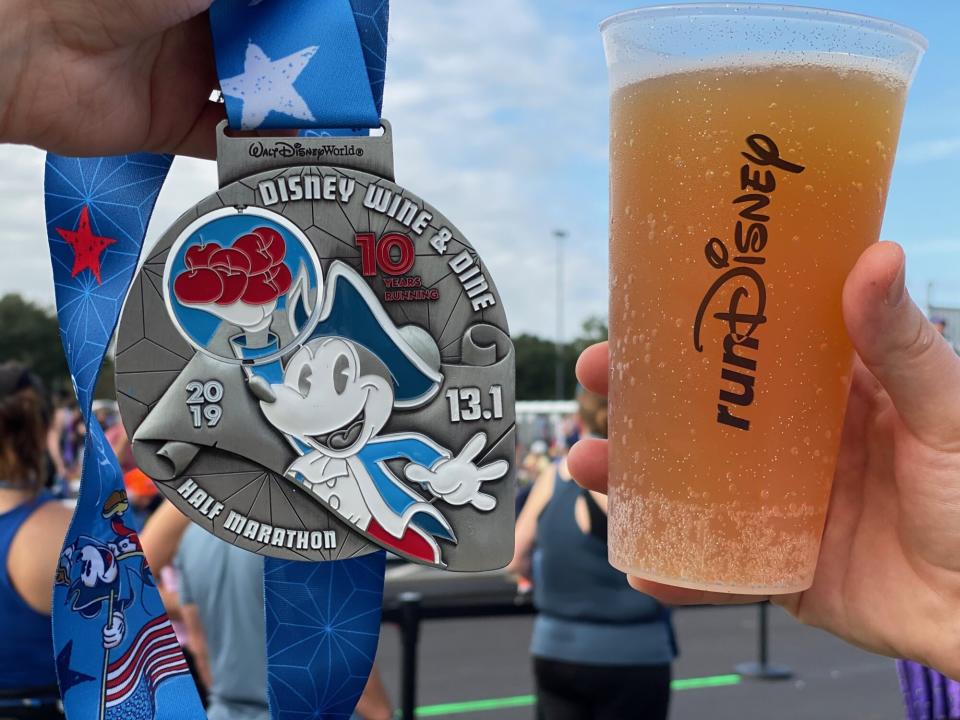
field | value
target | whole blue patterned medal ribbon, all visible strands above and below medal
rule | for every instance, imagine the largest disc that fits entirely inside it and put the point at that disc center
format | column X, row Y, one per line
column 282, row 64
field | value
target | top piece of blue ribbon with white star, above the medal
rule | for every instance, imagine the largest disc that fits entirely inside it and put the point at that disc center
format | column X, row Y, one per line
column 301, row 63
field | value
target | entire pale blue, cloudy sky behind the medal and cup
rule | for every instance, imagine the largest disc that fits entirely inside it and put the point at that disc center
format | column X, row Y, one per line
column 499, row 111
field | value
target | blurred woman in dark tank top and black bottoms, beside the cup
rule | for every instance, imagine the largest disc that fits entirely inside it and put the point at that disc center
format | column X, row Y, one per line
column 601, row 651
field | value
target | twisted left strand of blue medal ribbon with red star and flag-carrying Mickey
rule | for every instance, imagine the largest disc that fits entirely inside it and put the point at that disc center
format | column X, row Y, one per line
column 116, row 654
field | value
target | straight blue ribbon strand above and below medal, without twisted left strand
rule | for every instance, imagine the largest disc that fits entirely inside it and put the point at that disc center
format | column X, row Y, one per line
column 323, row 619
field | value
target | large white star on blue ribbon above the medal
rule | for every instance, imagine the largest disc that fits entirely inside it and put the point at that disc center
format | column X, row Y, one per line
column 266, row 85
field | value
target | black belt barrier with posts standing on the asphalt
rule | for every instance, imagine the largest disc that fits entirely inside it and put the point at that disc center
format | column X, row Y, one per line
column 408, row 609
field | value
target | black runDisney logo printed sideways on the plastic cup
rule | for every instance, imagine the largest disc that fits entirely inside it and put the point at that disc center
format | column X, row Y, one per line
column 748, row 299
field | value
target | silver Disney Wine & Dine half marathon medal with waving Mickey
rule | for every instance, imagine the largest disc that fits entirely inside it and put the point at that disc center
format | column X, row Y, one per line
column 313, row 363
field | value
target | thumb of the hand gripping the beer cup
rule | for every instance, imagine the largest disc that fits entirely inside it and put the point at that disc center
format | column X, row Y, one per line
column 903, row 350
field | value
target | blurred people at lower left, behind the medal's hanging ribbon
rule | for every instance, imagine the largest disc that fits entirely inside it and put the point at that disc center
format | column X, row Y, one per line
column 212, row 591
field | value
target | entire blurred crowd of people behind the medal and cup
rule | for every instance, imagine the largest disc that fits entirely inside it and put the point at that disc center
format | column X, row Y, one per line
column 599, row 649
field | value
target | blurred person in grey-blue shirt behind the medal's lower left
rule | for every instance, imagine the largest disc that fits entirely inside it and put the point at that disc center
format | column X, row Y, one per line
column 221, row 606
